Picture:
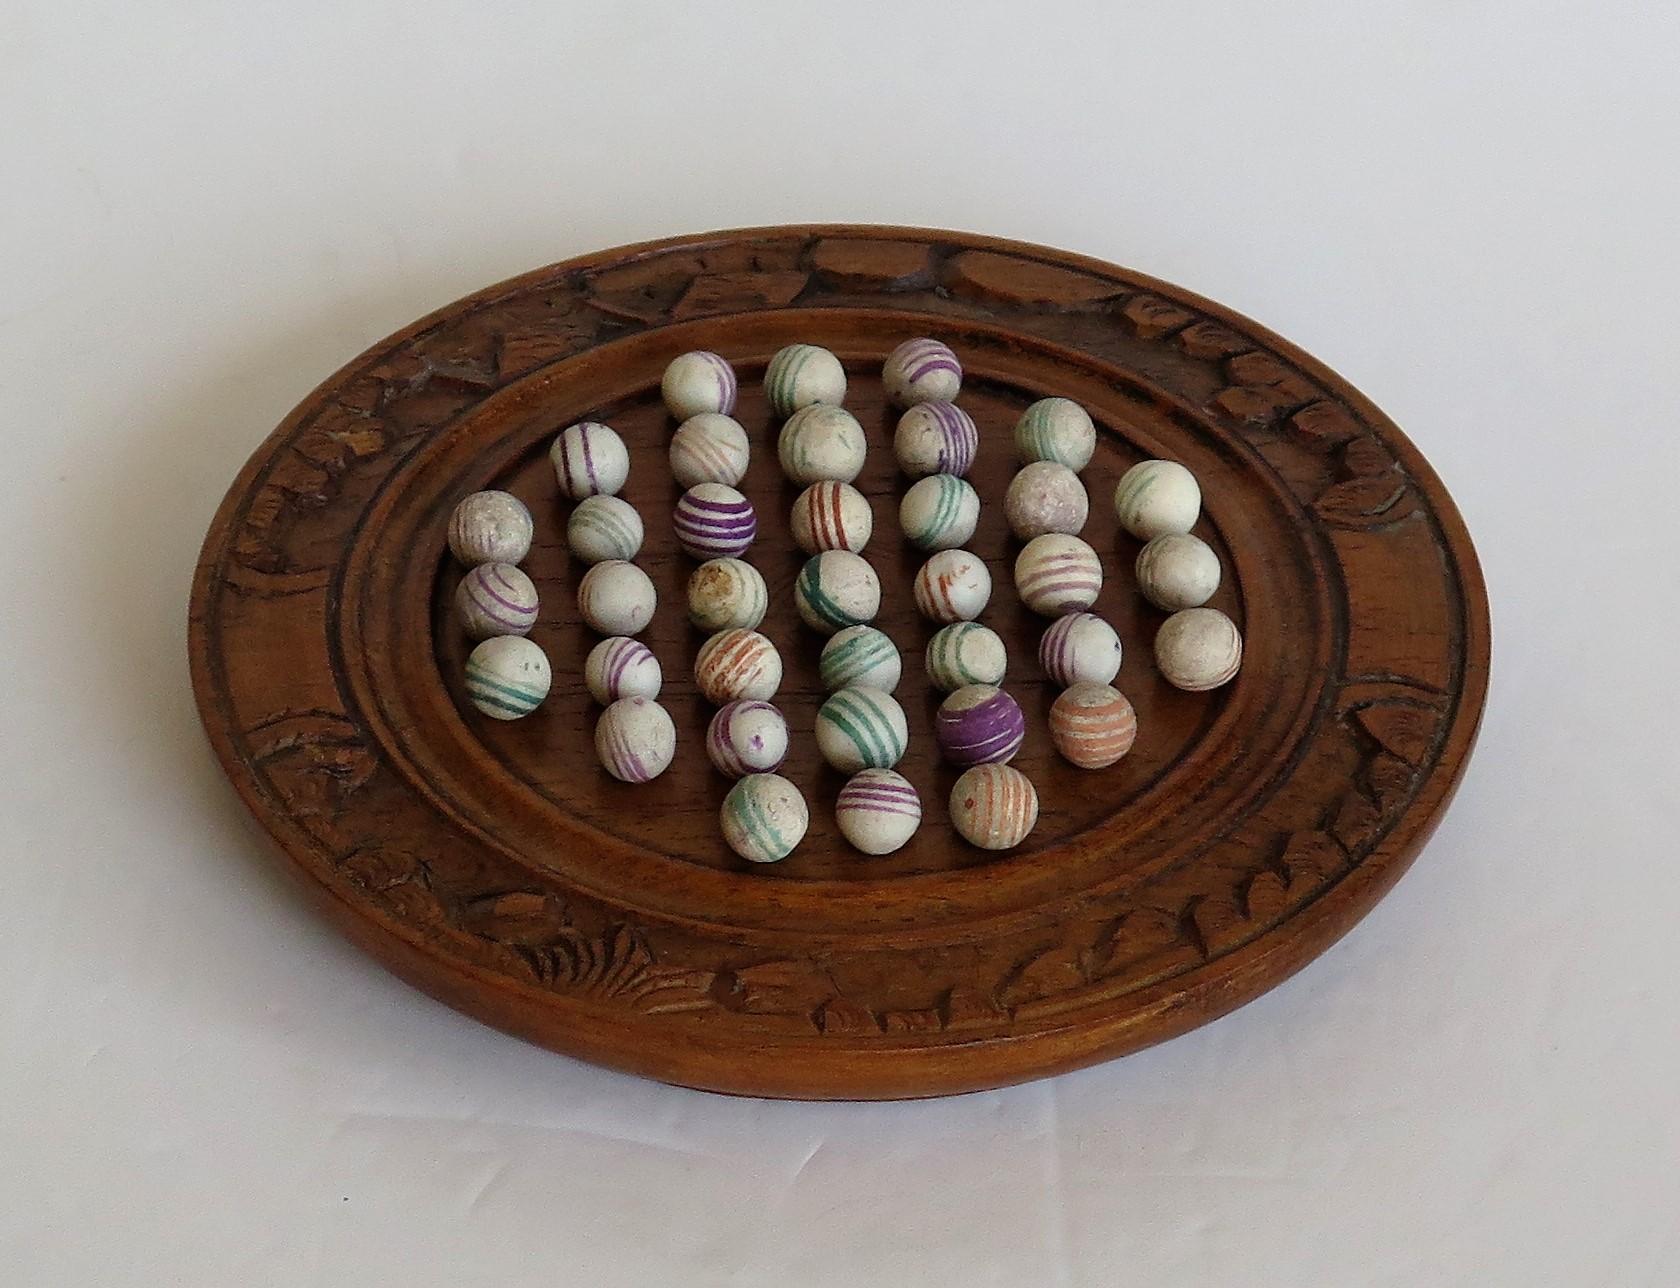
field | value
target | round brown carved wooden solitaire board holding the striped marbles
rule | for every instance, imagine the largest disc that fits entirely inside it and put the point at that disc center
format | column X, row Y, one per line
column 496, row 867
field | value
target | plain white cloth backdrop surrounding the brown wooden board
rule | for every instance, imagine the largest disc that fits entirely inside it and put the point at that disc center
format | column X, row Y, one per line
column 1467, row 209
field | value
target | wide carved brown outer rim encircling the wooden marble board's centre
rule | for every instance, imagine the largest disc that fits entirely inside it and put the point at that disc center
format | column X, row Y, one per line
column 611, row 973
